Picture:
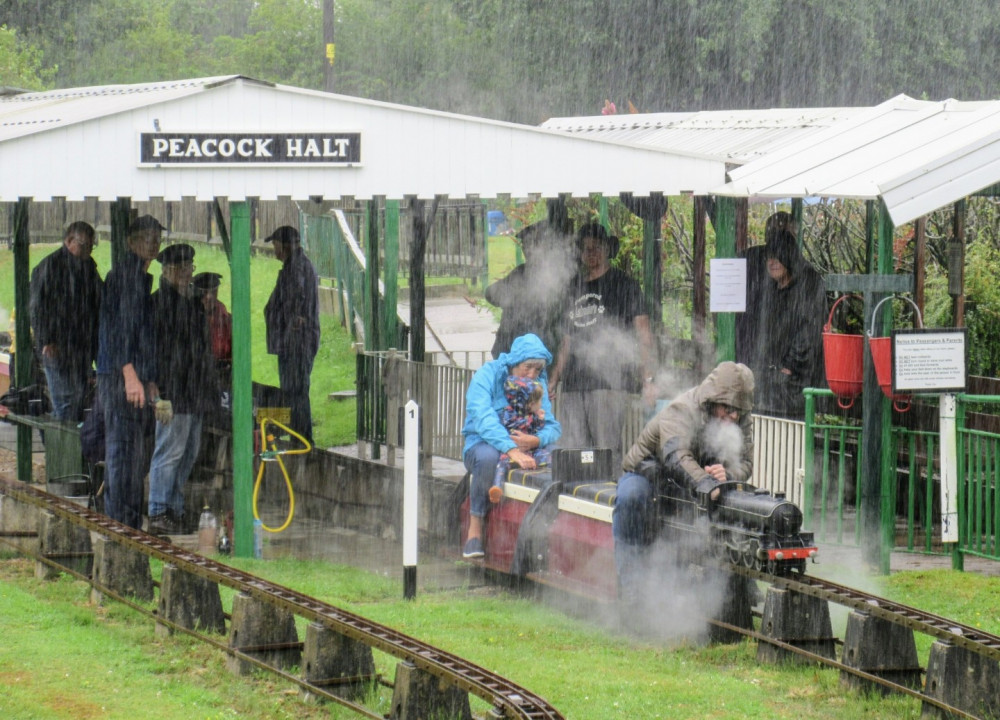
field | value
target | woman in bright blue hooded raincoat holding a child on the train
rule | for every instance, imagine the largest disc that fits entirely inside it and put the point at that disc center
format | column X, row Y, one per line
column 485, row 436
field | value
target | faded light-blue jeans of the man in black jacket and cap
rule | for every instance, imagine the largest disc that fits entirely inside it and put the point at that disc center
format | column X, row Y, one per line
column 177, row 445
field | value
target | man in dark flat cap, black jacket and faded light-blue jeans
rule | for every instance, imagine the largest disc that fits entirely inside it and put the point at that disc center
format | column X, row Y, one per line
column 188, row 389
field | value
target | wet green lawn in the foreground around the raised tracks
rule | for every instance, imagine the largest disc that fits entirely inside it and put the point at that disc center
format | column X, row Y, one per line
column 63, row 658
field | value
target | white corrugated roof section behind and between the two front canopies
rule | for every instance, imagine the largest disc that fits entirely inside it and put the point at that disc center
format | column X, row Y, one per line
column 736, row 136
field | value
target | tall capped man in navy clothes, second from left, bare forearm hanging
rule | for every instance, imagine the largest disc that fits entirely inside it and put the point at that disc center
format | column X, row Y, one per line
column 126, row 372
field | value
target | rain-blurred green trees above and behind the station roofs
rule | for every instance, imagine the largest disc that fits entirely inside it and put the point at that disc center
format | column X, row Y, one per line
column 525, row 60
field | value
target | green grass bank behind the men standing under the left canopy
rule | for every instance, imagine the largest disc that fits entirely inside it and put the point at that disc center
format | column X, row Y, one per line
column 334, row 422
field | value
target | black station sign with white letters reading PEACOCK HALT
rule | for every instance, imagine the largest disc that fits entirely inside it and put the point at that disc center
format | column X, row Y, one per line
column 256, row 148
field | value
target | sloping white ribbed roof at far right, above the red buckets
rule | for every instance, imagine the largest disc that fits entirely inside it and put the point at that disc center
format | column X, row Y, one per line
column 917, row 155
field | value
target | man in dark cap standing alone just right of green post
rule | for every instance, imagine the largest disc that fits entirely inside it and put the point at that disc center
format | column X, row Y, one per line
column 292, row 319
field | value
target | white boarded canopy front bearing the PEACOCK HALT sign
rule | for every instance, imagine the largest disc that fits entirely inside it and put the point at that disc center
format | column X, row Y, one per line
column 240, row 138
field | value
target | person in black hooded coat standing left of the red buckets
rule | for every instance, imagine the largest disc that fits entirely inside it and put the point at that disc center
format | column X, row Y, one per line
column 786, row 349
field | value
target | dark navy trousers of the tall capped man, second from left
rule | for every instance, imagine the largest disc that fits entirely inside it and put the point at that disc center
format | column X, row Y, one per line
column 128, row 446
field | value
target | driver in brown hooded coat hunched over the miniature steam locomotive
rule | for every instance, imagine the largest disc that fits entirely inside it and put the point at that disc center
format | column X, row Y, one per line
column 703, row 437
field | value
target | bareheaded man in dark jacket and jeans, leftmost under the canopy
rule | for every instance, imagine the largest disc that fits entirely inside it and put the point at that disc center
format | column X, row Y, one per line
column 65, row 310
